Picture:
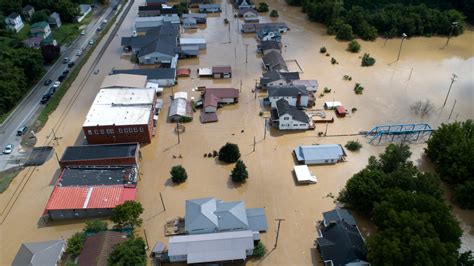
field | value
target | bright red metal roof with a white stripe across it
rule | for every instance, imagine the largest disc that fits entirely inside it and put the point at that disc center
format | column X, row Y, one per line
column 89, row 197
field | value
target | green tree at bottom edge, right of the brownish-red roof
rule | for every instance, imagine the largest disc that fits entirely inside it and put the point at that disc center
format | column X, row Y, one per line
column 129, row 252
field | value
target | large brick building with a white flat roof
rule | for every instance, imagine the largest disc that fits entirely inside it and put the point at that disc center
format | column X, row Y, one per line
column 121, row 115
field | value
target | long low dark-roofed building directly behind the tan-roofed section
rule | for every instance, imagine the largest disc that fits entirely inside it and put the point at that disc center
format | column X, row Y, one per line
column 164, row 77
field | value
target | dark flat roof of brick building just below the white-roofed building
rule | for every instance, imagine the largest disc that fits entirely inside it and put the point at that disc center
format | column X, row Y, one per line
column 97, row 152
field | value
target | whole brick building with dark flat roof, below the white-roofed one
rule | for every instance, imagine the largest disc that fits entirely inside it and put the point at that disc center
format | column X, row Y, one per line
column 121, row 154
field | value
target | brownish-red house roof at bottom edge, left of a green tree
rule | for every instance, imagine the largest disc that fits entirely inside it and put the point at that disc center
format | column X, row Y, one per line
column 98, row 247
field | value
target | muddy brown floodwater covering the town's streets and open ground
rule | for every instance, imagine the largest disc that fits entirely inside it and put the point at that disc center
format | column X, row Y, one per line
column 423, row 72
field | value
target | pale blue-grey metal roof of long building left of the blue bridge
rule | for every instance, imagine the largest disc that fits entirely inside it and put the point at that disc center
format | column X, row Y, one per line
column 319, row 152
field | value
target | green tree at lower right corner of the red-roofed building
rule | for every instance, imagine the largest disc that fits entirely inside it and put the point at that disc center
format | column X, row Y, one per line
column 127, row 214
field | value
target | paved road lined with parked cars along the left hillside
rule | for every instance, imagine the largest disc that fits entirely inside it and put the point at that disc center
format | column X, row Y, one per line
column 30, row 107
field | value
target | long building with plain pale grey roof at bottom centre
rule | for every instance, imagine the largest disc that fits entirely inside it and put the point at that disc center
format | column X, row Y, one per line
column 211, row 248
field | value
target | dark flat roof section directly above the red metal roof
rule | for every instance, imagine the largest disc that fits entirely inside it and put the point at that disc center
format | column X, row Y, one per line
column 96, row 176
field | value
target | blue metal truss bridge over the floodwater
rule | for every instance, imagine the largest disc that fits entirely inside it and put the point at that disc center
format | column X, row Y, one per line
column 400, row 133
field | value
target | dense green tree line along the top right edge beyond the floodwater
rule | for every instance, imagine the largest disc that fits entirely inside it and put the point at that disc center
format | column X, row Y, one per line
column 369, row 19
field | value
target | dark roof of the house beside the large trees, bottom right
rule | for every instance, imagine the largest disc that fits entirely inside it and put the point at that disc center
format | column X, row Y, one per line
column 341, row 243
